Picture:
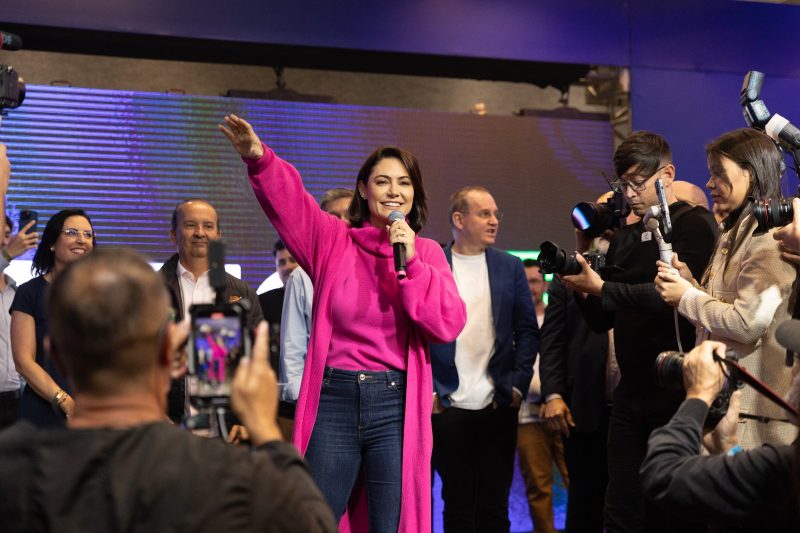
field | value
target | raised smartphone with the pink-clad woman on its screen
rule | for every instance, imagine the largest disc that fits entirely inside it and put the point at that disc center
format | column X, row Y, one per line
column 218, row 341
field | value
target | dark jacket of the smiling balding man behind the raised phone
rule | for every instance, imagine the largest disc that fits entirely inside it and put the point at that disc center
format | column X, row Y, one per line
column 235, row 290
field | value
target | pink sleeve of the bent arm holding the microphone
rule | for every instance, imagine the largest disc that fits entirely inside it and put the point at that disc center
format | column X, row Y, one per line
column 430, row 297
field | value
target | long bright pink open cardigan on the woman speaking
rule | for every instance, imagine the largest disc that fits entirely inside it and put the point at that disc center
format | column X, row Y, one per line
column 432, row 311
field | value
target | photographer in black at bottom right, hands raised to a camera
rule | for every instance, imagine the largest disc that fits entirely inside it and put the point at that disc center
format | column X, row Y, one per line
column 755, row 490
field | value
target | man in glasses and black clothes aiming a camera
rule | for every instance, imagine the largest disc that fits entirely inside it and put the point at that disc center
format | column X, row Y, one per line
column 627, row 301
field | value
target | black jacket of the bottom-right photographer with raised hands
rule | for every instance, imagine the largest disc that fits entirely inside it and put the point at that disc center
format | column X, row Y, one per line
column 751, row 491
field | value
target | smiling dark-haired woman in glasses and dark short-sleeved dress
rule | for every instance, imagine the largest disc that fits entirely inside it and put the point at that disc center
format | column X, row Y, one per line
column 46, row 400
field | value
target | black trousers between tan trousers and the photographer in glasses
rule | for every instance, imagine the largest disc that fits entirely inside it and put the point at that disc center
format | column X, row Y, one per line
column 586, row 456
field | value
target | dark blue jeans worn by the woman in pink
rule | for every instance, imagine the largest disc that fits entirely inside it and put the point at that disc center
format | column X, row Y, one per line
column 360, row 424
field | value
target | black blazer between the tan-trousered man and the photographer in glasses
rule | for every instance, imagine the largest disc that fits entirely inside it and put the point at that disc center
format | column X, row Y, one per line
column 572, row 358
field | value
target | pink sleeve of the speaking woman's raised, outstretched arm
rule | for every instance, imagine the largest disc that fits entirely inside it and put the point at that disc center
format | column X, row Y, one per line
column 309, row 233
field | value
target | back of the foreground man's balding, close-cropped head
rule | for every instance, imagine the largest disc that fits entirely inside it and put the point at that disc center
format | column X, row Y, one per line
column 108, row 313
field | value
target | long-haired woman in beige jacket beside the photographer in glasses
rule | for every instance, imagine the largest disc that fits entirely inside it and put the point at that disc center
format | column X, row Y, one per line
column 746, row 289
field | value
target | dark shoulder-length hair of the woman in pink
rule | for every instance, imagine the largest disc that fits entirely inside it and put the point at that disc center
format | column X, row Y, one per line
column 359, row 210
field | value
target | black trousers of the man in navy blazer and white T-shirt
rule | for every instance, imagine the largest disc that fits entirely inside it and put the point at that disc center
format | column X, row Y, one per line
column 473, row 451
